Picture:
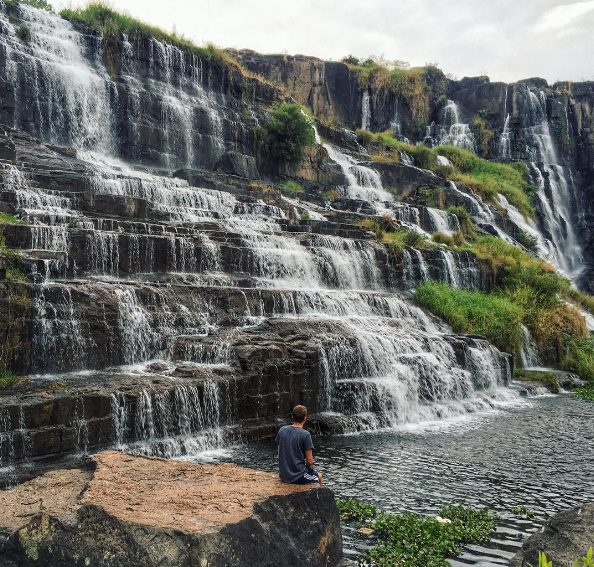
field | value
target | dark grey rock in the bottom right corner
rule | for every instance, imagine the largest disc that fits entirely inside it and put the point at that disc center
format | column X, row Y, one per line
column 565, row 538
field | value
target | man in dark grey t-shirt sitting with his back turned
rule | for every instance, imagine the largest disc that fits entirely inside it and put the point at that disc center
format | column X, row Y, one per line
column 295, row 456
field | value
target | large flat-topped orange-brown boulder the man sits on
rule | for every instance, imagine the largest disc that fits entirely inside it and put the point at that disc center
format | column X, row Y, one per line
column 129, row 511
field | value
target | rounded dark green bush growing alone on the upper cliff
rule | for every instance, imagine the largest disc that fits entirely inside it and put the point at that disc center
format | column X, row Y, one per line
column 287, row 133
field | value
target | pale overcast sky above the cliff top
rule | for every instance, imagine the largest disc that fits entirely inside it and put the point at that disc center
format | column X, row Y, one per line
column 508, row 39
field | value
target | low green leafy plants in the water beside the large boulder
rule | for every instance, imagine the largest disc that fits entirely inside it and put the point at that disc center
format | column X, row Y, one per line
column 412, row 540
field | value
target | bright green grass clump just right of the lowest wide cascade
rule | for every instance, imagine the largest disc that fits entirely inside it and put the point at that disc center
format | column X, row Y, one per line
column 474, row 312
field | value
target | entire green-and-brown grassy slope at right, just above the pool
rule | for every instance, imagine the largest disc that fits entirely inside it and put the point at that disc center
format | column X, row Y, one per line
column 527, row 291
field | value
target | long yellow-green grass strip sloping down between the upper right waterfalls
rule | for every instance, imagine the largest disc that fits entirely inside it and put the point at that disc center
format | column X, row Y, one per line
column 486, row 178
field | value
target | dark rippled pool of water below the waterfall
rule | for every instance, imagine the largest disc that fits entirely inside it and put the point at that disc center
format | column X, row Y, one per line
column 538, row 454
